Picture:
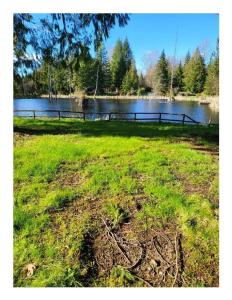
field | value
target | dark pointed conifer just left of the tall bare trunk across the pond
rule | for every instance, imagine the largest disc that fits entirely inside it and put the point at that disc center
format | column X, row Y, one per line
column 161, row 78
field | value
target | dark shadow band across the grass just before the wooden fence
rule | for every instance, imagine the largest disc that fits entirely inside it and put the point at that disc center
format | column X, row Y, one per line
column 116, row 128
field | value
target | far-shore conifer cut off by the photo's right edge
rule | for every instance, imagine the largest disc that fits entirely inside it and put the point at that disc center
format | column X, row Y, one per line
column 212, row 79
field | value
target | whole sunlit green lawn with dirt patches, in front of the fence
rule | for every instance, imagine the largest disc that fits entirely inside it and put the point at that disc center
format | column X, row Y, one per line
column 115, row 204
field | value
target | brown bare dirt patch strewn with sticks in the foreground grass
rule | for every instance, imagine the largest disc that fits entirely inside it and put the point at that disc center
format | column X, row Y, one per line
column 154, row 258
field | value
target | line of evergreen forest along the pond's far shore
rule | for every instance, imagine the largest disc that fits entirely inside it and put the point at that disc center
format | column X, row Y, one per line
column 116, row 74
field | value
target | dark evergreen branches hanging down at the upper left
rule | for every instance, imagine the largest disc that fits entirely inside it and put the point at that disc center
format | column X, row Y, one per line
column 65, row 35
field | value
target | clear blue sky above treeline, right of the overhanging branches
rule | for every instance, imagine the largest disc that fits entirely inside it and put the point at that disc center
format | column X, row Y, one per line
column 155, row 32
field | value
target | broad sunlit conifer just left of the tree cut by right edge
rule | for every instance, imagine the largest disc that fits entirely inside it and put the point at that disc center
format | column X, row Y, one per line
column 195, row 73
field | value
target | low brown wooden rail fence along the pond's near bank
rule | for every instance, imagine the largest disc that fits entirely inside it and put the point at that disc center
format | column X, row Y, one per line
column 109, row 116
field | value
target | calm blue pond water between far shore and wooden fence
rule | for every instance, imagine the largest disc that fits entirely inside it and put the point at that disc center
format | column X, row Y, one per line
column 200, row 113
